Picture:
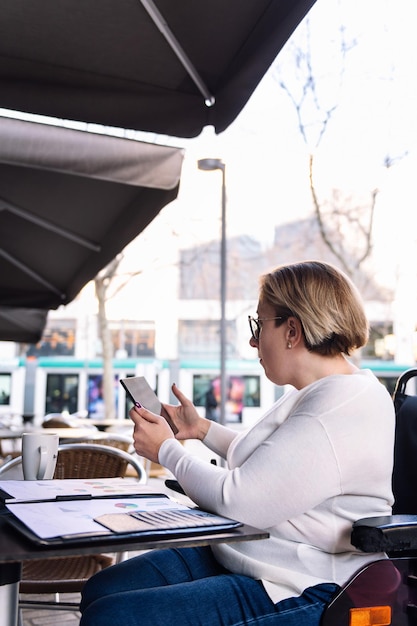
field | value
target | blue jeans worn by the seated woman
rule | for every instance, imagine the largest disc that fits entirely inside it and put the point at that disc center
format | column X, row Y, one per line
column 188, row 587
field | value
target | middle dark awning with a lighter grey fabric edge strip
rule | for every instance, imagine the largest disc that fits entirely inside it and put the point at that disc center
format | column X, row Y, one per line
column 70, row 201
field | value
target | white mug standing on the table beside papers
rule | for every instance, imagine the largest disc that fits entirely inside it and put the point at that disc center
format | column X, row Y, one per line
column 39, row 455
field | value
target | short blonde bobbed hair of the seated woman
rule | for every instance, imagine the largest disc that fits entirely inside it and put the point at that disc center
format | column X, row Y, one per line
column 324, row 300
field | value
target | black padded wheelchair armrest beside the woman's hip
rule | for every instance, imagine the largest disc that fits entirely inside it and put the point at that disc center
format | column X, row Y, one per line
column 391, row 533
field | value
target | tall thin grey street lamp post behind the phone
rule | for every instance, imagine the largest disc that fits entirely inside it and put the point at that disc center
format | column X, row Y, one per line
column 211, row 165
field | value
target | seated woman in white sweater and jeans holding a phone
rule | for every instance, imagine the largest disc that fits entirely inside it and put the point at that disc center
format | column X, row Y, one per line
column 320, row 458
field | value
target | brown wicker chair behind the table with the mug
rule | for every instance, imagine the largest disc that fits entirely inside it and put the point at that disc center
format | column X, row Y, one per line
column 69, row 574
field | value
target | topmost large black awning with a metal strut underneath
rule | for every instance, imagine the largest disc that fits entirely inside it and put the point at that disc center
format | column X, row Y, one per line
column 147, row 65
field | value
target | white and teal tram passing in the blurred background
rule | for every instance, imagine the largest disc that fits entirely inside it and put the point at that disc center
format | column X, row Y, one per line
column 35, row 387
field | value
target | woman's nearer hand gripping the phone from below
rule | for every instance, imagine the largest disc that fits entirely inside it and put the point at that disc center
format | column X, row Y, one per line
column 149, row 433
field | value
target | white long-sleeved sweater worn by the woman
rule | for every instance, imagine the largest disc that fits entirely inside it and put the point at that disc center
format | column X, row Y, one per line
column 319, row 459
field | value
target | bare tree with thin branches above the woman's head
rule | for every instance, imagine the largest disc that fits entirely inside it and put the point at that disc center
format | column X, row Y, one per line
column 340, row 219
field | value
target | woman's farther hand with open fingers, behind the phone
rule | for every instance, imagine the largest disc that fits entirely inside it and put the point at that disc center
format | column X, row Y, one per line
column 189, row 423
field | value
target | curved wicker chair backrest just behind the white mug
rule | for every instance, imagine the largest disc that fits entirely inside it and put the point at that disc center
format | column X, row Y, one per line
column 84, row 460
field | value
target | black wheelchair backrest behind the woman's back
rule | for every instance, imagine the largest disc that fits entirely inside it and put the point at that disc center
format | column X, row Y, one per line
column 404, row 478
